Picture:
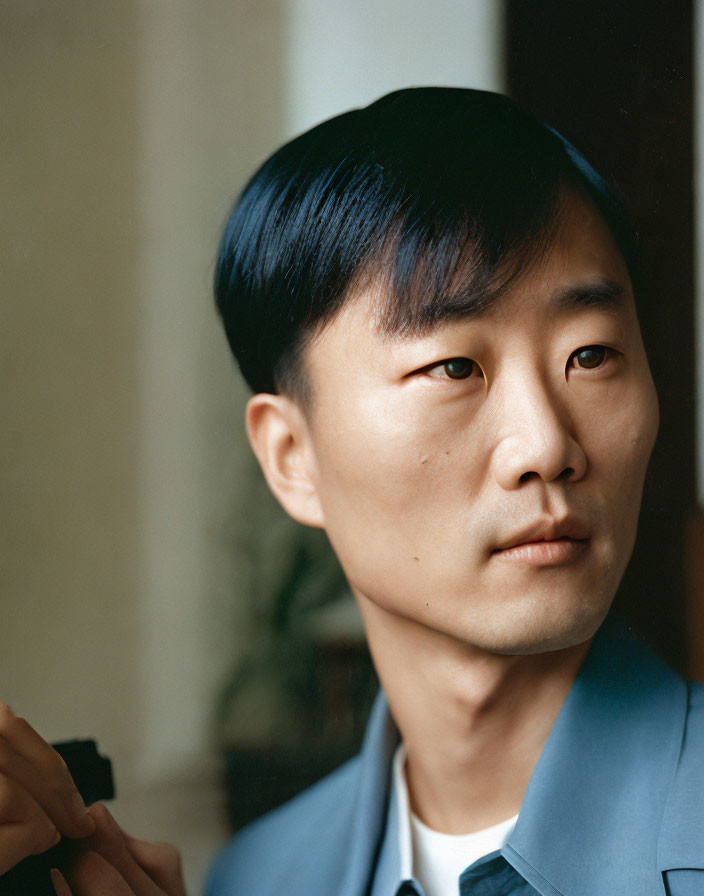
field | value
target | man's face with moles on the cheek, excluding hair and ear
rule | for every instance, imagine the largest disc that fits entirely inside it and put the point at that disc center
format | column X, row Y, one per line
column 494, row 499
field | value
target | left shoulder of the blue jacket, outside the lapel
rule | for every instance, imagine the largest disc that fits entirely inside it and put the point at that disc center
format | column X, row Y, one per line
column 277, row 853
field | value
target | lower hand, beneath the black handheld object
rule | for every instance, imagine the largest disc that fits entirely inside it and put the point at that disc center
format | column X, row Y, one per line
column 111, row 863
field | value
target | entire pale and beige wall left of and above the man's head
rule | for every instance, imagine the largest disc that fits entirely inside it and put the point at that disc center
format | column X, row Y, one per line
column 126, row 130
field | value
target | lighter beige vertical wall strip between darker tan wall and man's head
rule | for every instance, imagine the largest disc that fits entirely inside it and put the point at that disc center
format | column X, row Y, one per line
column 209, row 108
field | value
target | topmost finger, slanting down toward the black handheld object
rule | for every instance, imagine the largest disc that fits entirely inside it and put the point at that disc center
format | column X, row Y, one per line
column 29, row 760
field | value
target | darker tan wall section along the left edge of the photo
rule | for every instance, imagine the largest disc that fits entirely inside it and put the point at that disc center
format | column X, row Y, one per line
column 71, row 546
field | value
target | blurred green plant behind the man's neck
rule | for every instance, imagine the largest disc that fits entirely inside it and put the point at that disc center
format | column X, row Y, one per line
column 286, row 574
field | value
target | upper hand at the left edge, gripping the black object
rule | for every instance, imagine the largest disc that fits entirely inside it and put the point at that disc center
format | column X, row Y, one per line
column 38, row 799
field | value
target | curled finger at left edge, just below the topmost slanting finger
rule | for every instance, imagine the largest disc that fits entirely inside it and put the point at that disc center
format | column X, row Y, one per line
column 26, row 829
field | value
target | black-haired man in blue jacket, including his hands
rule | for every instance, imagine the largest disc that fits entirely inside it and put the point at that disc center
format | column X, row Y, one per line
column 432, row 300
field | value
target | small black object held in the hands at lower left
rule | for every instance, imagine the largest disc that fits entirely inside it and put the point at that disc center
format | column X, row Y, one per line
column 92, row 774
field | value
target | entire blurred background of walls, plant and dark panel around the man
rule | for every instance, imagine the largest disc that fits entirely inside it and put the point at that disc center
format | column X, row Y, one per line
column 152, row 594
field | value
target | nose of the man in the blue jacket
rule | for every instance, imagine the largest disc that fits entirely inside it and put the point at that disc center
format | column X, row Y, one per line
column 537, row 439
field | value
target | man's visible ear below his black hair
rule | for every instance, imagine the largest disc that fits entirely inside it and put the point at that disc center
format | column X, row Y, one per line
column 280, row 438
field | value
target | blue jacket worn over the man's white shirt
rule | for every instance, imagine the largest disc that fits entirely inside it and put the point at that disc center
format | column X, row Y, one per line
column 615, row 806
